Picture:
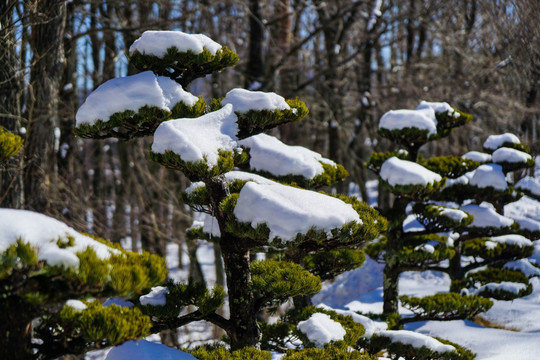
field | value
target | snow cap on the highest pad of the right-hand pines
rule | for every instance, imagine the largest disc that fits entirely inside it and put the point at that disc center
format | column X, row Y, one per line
column 423, row 119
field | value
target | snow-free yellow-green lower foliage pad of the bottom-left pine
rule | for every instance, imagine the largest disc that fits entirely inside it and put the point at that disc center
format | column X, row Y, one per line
column 111, row 325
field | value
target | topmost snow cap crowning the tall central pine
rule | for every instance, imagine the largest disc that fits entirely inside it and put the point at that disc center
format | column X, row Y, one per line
column 157, row 42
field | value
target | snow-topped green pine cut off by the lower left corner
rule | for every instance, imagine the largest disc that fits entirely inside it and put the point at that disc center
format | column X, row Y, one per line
column 49, row 274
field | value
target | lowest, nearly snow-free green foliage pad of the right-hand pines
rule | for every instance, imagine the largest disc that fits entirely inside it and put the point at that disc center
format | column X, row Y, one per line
column 445, row 306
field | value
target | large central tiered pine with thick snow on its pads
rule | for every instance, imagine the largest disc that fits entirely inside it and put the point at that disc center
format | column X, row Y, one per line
column 250, row 213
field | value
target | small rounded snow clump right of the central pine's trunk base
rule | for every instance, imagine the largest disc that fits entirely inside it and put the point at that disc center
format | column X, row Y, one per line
column 320, row 329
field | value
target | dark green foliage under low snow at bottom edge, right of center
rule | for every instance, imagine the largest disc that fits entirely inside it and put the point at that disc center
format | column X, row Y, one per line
column 376, row 343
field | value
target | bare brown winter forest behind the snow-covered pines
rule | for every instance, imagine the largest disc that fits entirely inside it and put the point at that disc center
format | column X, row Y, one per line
column 350, row 61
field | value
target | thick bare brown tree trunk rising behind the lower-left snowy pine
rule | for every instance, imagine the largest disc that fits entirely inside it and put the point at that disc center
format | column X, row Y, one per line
column 48, row 19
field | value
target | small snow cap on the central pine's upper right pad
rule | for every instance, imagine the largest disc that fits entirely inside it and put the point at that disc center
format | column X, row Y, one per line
column 245, row 100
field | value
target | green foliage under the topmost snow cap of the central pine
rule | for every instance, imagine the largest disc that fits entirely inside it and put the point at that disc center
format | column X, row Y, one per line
column 184, row 67
